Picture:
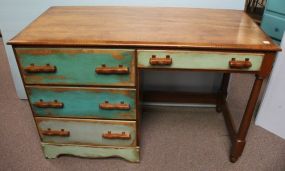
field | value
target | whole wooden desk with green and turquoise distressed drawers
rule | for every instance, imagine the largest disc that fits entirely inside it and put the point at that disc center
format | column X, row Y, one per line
column 81, row 68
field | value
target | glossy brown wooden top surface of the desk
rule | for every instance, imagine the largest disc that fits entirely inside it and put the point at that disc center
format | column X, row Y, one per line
column 146, row 27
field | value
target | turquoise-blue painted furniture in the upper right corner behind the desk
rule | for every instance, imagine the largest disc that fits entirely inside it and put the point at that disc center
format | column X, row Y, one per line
column 273, row 21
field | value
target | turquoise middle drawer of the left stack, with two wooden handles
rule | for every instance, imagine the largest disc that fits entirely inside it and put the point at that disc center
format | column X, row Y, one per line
column 82, row 102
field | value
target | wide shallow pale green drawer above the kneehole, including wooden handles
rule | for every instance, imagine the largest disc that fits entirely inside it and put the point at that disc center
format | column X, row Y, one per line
column 198, row 60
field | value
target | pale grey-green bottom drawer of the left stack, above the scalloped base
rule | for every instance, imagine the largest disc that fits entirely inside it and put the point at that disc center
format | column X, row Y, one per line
column 87, row 131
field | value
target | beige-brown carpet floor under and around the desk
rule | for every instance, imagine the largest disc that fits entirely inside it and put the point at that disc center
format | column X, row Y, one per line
column 173, row 138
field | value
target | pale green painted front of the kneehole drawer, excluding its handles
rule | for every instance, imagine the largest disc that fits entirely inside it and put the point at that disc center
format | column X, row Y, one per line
column 198, row 60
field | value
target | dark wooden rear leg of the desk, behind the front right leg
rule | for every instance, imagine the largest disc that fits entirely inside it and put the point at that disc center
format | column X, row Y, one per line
column 222, row 93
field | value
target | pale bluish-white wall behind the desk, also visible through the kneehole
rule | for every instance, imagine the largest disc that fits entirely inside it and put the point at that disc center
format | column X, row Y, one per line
column 16, row 14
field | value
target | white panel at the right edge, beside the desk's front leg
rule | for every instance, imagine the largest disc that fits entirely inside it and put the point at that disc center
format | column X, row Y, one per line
column 271, row 114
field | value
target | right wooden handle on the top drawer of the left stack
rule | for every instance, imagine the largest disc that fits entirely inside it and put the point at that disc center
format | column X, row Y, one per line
column 112, row 70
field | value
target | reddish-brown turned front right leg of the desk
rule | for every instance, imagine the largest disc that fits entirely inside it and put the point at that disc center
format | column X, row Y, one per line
column 239, row 138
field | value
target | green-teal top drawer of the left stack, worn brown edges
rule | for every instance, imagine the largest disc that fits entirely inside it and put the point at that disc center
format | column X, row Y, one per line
column 68, row 66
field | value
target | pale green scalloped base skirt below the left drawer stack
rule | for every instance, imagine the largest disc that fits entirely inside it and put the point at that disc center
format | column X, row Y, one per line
column 52, row 151
